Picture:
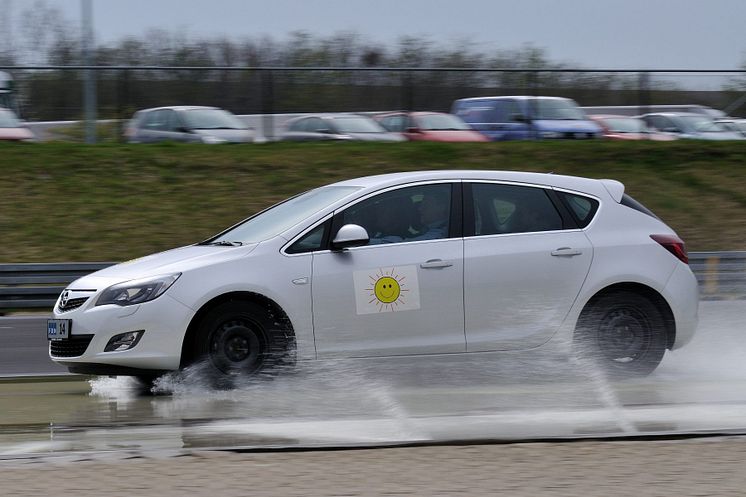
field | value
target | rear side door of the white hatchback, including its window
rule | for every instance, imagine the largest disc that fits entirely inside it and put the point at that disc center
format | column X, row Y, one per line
column 524, row 264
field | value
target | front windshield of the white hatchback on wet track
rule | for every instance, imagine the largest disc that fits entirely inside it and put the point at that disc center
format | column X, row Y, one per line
column 278, row 218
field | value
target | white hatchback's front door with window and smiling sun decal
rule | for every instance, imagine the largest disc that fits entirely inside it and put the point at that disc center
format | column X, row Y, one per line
column 402, row 293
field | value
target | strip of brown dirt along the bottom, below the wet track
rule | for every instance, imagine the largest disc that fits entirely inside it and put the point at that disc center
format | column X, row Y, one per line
column 697, row 467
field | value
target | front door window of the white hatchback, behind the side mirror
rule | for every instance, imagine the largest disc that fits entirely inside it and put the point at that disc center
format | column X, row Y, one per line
column 405, row 215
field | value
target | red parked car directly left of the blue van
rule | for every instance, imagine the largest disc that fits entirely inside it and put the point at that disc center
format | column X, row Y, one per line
column 429, row 126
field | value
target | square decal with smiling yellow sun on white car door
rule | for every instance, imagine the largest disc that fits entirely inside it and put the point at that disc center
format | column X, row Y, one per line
column 387, row 289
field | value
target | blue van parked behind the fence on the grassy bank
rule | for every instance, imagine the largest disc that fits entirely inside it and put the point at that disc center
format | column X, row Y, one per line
column 525, row 117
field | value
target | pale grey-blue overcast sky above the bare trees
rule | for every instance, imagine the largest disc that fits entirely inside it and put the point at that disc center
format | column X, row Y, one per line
column 677, row 34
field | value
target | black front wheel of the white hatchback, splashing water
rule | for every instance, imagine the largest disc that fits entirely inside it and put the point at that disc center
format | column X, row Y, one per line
column 241, row 338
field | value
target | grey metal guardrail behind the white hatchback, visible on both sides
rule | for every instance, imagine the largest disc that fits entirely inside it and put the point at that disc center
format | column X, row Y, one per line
column 721, row 275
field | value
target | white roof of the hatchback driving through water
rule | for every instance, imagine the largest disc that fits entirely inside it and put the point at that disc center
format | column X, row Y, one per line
column 576, row 183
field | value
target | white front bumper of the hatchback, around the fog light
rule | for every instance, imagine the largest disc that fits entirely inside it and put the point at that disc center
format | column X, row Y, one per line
column 164, row 322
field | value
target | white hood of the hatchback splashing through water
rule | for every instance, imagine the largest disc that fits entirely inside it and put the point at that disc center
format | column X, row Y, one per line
column 177, row 260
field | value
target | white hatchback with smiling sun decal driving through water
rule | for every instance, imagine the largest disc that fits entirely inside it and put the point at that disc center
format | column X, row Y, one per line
column 441, row 262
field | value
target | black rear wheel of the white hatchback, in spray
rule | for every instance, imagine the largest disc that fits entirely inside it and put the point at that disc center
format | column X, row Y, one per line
column 622, row 332
